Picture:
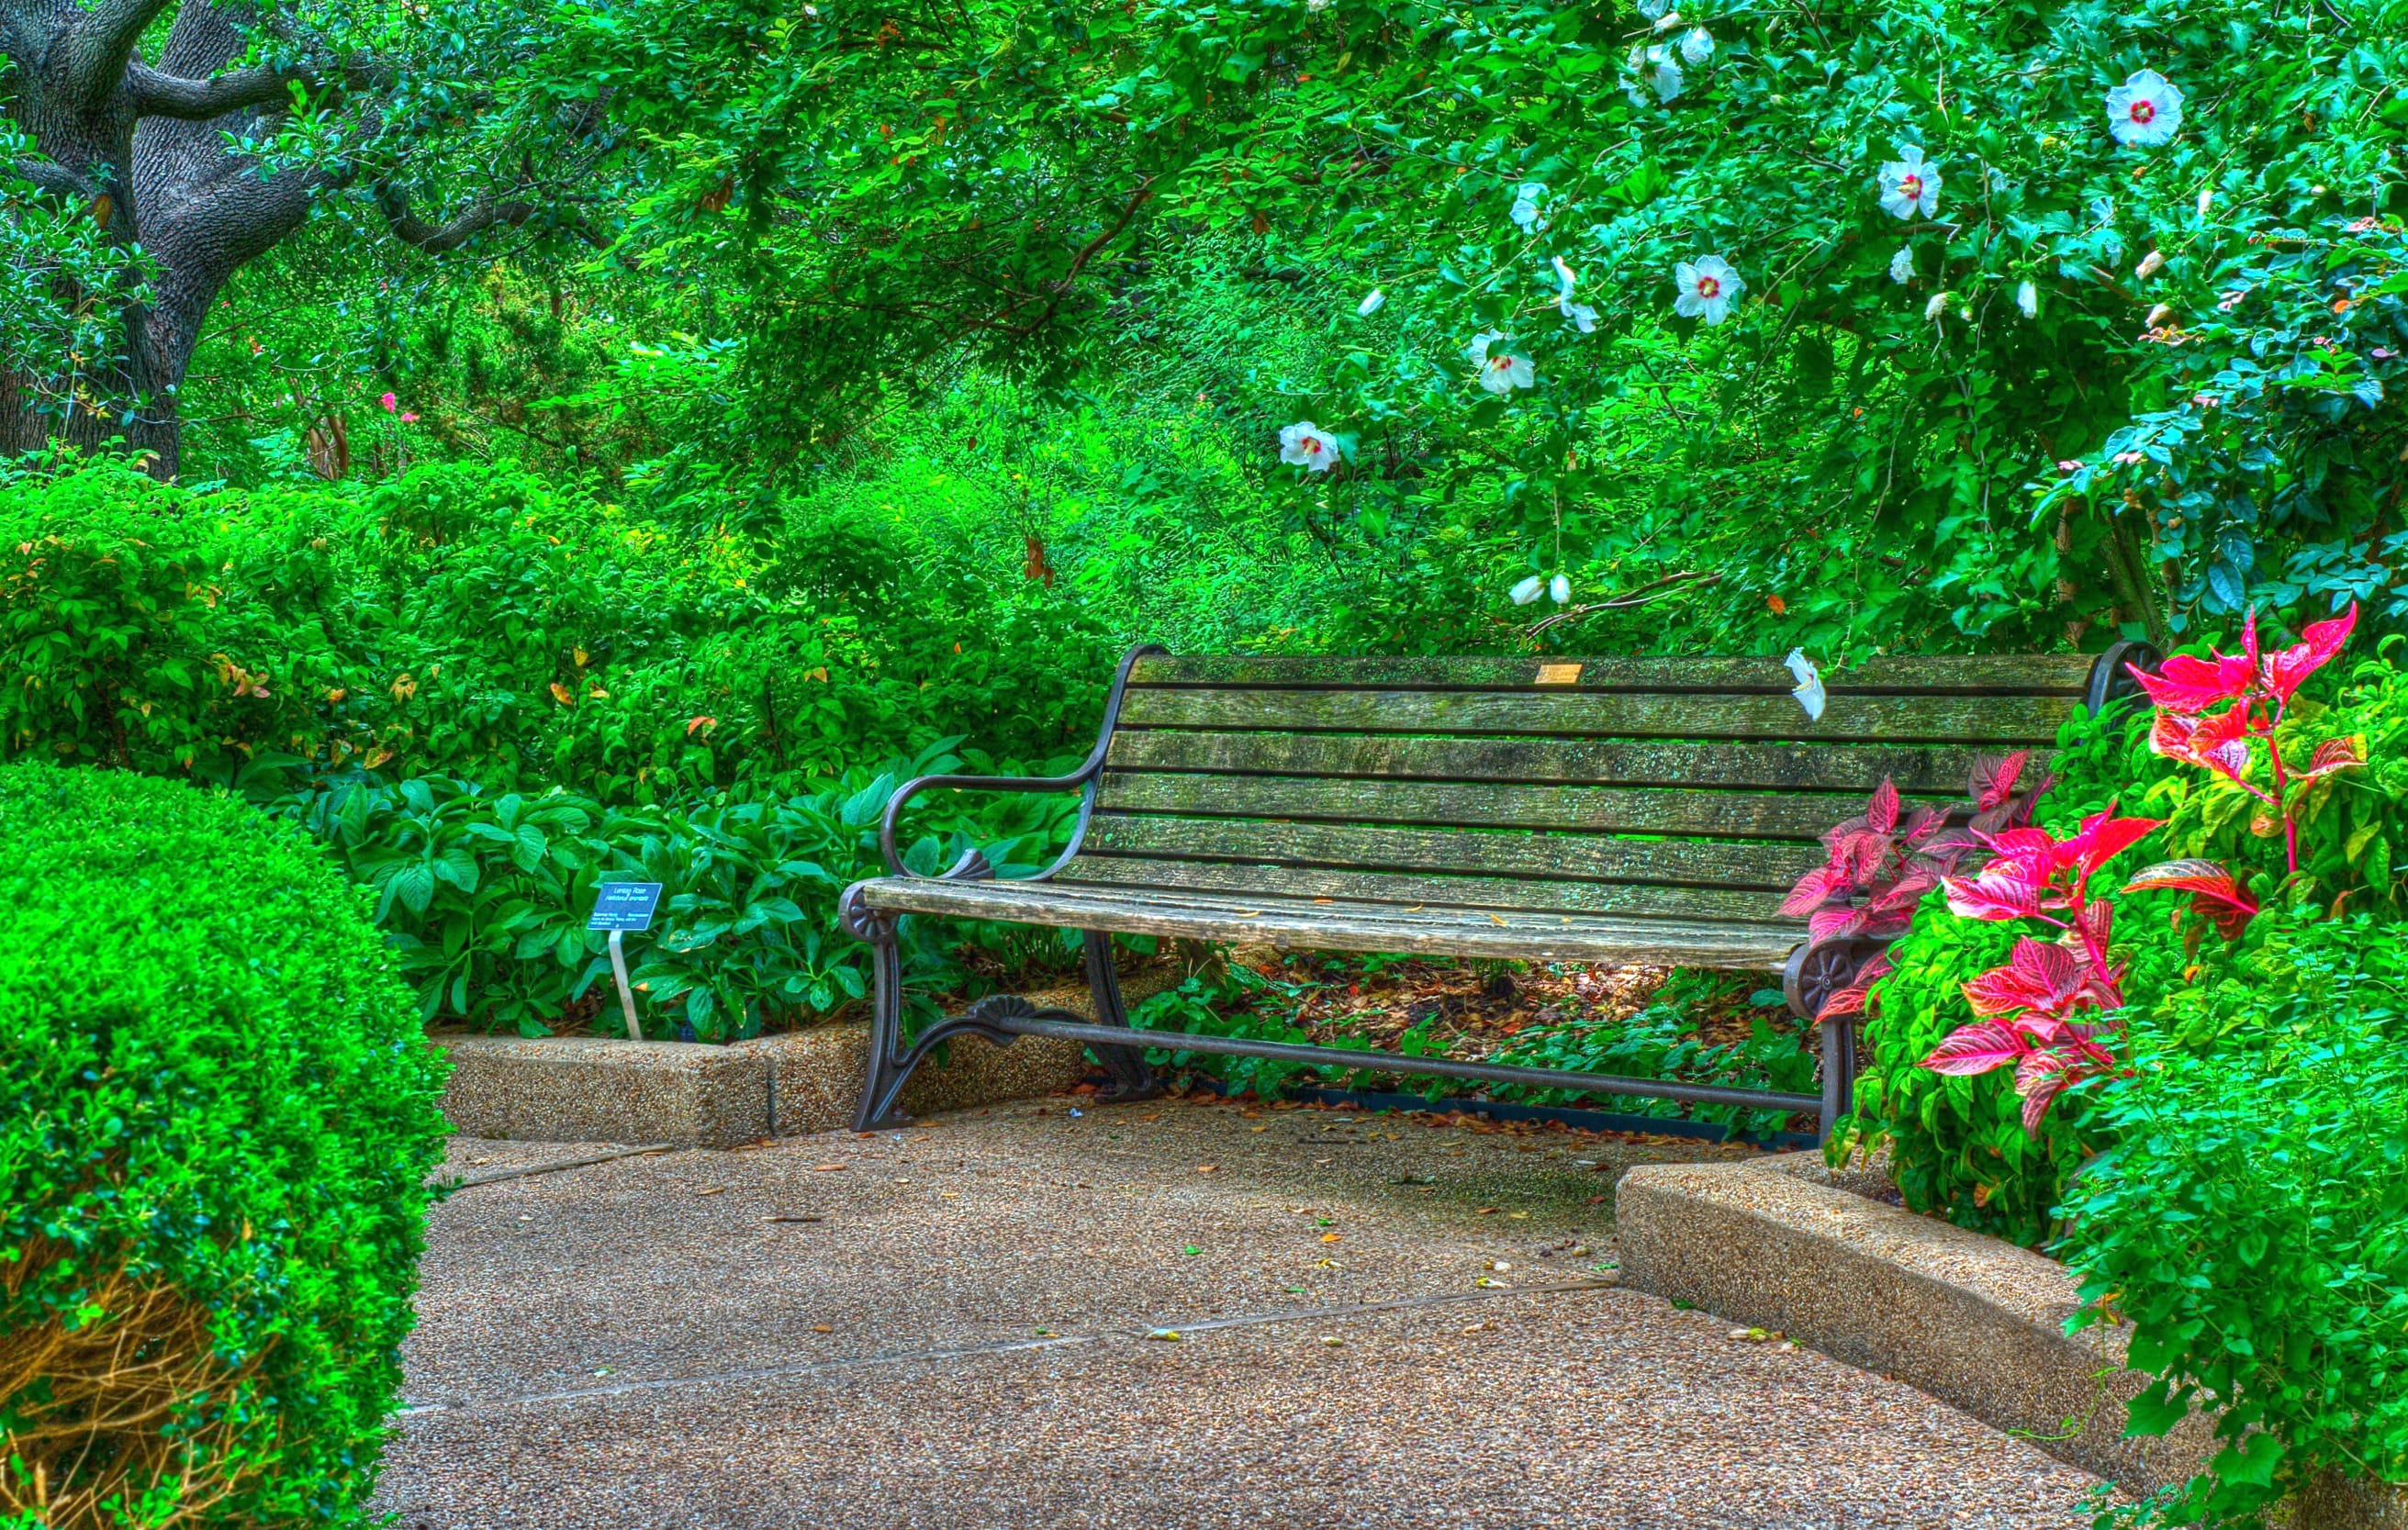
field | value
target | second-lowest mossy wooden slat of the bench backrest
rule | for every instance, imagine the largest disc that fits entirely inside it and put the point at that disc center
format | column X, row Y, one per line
column 1504, row 853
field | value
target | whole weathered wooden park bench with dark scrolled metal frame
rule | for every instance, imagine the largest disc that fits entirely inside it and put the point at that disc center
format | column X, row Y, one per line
column 1540, row 810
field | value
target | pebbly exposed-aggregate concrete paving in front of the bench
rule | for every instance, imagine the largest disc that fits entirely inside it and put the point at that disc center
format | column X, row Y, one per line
column 1379, row 1324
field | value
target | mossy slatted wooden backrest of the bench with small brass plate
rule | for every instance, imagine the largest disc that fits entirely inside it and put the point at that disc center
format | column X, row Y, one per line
column 1634, row 788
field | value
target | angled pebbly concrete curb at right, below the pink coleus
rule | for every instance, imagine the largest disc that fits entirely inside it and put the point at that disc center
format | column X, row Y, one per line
column 1969, row 1320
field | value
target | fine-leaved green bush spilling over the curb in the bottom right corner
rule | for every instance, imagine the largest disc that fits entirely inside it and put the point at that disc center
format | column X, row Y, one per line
column 2253, row 1218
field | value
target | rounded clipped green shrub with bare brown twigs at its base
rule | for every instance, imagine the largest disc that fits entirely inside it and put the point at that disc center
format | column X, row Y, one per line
column 216, row 1129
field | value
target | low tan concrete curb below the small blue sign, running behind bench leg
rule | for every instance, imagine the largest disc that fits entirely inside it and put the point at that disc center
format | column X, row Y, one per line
column 707, row 1096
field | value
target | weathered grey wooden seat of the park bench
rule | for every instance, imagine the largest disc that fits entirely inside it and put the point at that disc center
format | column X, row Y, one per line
column 1350, row 927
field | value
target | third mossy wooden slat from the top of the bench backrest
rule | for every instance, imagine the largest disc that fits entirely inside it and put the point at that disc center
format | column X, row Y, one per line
column 1552, row 761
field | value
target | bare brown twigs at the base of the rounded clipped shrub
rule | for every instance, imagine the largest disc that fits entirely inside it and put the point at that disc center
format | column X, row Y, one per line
column 110, row 1423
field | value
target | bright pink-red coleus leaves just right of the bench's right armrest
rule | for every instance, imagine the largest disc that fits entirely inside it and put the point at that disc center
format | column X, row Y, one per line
column 2031, row 1009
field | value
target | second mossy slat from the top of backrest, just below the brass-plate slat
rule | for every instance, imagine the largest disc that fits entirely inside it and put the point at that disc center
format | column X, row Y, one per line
column 1607, row 716
